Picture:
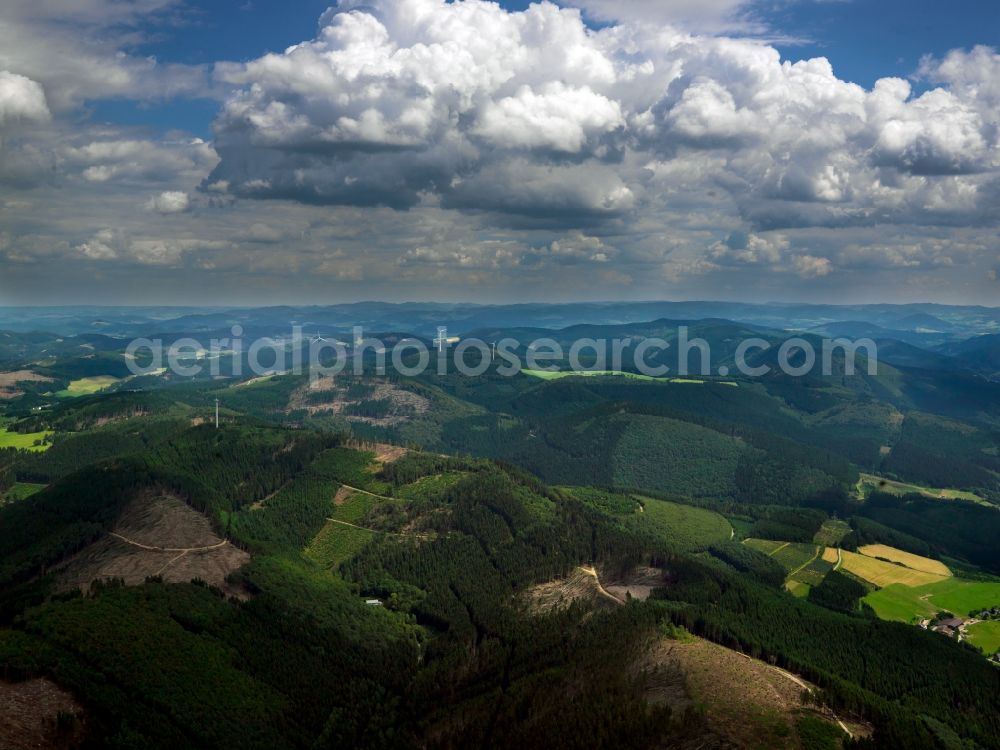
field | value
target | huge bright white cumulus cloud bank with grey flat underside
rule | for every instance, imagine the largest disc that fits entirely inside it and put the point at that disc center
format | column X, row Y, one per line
column 470, row 106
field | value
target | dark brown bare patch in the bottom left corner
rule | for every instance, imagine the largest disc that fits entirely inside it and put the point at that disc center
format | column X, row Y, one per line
column 29, row 716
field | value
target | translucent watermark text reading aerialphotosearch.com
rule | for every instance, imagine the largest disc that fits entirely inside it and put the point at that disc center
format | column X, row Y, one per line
column 649, row 356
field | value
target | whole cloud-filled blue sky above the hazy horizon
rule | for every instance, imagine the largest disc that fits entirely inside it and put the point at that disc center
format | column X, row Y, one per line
column 828, row 150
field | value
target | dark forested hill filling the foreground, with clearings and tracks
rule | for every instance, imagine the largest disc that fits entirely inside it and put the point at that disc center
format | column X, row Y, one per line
column 288, row 653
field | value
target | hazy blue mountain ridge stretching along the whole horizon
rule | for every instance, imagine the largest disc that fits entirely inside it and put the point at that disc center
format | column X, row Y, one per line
column 423, row 317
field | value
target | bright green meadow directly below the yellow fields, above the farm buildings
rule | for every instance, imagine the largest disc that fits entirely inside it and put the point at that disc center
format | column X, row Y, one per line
column 906, row 604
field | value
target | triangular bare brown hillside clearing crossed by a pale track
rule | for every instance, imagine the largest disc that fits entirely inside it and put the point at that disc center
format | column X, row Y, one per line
column 157, row 535
